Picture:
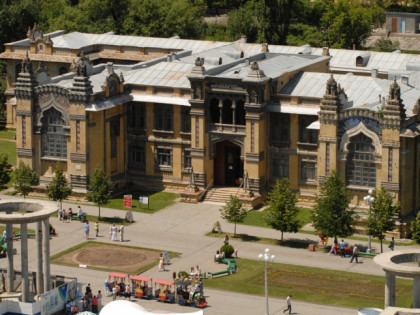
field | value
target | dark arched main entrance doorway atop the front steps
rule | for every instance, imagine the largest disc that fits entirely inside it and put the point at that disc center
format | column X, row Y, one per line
column 228, row 166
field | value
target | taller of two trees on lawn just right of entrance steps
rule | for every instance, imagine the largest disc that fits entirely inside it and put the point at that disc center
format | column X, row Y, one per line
column 282, row 211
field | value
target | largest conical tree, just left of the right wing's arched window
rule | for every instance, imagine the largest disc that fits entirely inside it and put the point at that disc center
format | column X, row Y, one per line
column 332, row 216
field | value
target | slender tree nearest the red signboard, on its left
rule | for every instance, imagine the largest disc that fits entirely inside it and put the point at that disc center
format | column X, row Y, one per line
column 99, row 189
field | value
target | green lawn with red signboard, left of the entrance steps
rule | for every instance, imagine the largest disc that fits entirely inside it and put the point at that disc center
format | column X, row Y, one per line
column 157, row 201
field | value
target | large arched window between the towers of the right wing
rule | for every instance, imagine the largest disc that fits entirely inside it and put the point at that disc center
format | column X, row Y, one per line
column 361, row 168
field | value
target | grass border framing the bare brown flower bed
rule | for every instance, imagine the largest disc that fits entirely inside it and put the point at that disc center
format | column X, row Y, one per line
column 93, row 243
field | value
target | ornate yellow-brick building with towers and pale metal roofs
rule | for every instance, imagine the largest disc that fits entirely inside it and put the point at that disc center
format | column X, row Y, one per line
column 162, row 113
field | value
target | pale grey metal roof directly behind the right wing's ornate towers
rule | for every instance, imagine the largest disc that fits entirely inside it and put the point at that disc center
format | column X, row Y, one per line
column 361, row 91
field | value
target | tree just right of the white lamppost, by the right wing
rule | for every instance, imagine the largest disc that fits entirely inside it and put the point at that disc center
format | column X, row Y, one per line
column 383, row 214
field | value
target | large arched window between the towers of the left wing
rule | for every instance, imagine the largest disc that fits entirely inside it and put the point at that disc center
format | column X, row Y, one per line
column 53, row 138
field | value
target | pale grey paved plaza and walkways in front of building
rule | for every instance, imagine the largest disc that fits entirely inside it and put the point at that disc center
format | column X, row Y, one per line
column 181, row 228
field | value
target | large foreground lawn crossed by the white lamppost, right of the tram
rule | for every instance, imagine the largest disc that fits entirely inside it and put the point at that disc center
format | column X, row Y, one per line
column 314, row 285
